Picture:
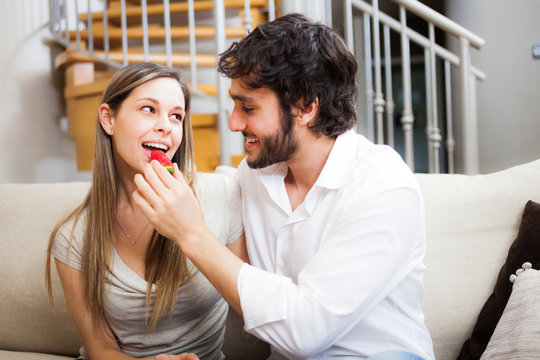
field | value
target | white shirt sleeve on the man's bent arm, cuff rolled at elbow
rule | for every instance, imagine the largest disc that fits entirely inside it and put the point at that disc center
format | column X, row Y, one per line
column 377, row 242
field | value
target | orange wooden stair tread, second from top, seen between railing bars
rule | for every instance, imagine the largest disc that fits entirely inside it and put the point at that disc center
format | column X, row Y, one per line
column 155, row 32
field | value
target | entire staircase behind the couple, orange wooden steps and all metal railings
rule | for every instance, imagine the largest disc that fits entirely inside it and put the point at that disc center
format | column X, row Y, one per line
column 417, row 93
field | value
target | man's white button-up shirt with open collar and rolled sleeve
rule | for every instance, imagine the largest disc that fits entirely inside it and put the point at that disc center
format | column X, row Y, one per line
column 341, row 275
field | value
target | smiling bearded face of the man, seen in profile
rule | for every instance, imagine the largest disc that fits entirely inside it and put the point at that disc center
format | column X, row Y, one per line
column 258, row 115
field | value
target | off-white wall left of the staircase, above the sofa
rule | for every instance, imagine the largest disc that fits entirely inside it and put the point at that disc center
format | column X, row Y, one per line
column 32, row 146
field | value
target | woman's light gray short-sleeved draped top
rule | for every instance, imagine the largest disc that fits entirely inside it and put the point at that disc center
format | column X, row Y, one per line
column 198, row 321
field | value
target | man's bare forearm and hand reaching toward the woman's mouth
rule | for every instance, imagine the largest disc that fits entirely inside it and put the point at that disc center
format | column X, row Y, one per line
column 173, row 210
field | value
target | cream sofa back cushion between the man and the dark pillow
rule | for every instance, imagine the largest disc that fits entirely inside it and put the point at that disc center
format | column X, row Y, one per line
column 471, row 223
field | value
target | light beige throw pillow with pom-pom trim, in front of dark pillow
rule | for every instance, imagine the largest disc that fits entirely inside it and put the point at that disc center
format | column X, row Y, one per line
column 517, row 332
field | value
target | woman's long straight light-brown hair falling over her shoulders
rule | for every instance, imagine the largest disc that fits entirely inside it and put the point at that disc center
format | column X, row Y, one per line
column 166, row 266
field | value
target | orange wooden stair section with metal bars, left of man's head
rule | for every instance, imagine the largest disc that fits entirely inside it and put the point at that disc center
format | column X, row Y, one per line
column 181, row 34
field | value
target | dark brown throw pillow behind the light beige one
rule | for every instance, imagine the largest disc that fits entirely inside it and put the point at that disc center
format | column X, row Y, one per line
column 525, row 248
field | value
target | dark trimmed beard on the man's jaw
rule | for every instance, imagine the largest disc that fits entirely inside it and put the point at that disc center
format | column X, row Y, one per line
column 275, row 148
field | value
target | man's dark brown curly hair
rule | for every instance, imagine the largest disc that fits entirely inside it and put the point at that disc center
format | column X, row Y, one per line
column 300, row 61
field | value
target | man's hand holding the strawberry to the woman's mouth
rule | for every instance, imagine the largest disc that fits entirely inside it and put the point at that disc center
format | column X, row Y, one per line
column 168, row 202
